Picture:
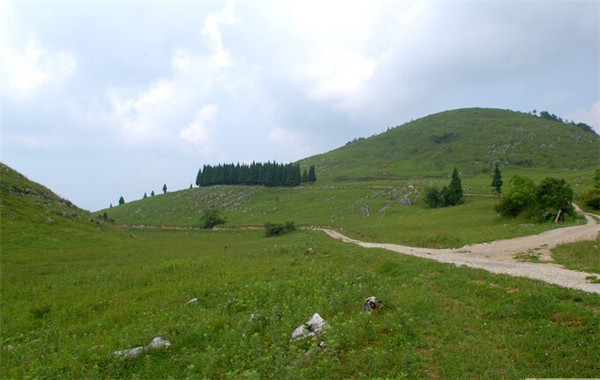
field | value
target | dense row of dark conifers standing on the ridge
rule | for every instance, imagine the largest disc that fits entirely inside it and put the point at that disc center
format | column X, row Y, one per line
column 266, row 174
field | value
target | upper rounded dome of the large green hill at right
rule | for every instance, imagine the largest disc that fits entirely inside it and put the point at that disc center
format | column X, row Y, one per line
column 473, row 139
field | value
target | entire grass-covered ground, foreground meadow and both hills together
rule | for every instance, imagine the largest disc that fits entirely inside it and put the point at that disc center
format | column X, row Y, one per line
column 75, row 288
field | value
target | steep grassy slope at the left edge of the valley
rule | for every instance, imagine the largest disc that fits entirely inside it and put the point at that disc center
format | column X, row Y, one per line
column 31, row 213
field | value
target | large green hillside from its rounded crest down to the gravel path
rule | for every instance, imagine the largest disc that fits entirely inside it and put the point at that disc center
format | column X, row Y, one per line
column 370, row 187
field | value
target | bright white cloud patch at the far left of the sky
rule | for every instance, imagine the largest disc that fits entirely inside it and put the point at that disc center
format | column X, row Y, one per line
column 35, row 67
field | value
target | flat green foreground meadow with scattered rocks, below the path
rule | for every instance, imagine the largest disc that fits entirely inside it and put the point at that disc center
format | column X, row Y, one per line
column 66, row 309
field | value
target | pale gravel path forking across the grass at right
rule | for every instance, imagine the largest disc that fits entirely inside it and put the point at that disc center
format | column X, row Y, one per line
column 497, row 256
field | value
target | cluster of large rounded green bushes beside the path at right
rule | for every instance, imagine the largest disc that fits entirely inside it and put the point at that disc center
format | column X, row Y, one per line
column 551, row 198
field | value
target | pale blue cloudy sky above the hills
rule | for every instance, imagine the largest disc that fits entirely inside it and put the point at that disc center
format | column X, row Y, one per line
column 103, row 99
